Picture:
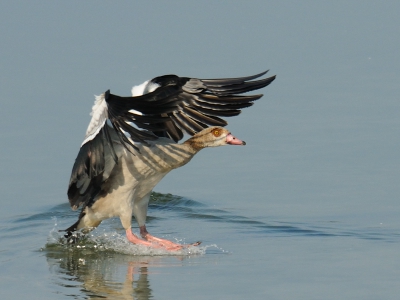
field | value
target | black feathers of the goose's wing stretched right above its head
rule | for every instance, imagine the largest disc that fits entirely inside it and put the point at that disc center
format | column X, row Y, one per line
column 182, row 104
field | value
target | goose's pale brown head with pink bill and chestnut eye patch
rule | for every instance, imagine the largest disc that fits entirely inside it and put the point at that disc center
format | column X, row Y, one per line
column 213, row 137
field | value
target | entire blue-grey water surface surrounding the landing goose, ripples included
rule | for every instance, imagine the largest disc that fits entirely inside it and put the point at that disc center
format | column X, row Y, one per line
column 308, row 209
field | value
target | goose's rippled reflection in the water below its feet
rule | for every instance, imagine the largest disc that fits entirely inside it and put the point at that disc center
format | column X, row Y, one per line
column 104, row 275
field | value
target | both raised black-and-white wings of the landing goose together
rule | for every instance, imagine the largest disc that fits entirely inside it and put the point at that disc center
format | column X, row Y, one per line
column 164, row 106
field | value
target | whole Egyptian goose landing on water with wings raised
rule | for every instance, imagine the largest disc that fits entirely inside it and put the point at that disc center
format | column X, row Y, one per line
column 131, row 143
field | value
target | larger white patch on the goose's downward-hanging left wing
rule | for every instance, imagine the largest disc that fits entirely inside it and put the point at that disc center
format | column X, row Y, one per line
column 99, row 116
